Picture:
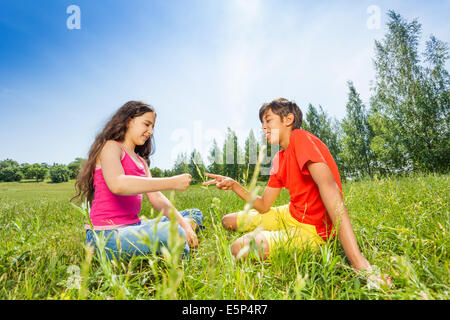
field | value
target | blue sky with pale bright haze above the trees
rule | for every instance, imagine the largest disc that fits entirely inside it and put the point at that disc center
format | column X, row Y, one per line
column 204, row 65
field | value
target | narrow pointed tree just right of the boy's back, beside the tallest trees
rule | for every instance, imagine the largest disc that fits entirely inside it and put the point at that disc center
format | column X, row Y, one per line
column 357, row 156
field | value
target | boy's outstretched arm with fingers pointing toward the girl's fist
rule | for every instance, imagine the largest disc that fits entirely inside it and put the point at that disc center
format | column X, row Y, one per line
column 262, row 203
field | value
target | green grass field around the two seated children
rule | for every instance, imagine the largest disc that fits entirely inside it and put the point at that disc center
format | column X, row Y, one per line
column 401, row 225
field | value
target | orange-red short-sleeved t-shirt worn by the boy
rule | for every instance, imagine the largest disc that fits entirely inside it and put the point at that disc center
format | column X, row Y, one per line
column 289, row 170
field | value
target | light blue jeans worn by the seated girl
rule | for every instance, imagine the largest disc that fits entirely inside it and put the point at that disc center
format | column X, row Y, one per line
column 125, row 242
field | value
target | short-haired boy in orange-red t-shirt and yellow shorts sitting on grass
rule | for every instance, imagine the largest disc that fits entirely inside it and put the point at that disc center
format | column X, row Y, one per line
column 306, row 168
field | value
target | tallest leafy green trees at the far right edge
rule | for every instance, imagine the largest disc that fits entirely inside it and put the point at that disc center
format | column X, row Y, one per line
column 410, row 105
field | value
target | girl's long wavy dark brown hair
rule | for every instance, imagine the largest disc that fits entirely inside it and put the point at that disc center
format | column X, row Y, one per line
column 115, row 129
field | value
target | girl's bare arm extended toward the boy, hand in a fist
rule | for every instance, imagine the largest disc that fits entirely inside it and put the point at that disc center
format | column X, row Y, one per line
column 120, row 183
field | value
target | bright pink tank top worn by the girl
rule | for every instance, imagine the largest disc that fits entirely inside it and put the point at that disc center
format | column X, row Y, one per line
column 109, row 210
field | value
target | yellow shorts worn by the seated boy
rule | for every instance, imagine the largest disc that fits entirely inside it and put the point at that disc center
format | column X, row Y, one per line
column 279, row 228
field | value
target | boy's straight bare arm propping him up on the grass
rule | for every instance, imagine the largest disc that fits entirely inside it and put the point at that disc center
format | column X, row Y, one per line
column 332, row 199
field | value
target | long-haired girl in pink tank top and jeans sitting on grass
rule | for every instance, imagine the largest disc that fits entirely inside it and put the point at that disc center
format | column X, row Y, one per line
column 115, row 176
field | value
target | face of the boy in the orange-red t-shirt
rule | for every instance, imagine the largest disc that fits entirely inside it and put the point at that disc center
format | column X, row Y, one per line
column 275, row 128
